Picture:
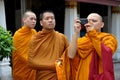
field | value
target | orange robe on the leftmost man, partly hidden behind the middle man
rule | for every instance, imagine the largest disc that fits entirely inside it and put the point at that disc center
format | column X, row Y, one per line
column 20, row 67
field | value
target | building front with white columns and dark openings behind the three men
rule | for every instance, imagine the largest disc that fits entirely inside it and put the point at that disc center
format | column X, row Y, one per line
column 65, row 11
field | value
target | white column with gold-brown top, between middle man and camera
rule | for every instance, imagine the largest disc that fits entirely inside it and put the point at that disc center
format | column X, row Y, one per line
column 70, row 15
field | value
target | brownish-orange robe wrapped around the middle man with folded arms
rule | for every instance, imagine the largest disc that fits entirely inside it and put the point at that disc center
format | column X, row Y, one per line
column 45, row 48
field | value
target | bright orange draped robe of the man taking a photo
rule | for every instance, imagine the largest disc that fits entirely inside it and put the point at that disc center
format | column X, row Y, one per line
column 80, row 68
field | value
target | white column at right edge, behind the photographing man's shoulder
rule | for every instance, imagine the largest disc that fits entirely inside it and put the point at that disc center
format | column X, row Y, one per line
column 115, row 29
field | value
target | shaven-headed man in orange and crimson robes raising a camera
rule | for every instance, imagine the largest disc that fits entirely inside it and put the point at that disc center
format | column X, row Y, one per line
column 89, row 57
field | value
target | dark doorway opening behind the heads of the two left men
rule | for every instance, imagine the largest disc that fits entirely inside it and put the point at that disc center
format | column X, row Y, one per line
column 57, row 6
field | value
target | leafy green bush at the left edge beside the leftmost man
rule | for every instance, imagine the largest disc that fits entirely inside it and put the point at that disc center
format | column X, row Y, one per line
column 6, row 43
